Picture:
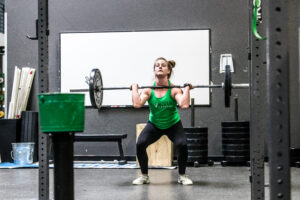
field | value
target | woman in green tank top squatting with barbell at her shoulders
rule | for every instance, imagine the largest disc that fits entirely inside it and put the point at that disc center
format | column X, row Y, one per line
column 163, row 119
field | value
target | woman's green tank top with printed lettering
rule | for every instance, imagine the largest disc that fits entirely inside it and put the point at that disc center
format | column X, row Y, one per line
column 163, row 110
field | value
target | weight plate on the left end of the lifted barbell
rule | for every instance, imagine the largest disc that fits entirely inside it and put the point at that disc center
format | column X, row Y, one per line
column 95, row 88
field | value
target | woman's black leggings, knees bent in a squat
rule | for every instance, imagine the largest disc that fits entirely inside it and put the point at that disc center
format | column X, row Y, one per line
column 150, row 134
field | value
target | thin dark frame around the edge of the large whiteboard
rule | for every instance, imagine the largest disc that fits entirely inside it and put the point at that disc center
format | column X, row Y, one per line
column 125, row 31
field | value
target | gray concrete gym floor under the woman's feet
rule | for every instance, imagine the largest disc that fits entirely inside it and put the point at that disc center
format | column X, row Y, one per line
column 210, row 183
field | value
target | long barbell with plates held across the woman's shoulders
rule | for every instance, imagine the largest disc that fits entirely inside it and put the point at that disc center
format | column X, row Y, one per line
column 96, row 87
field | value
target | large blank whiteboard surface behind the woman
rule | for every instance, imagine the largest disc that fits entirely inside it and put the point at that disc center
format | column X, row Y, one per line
column 125, row 58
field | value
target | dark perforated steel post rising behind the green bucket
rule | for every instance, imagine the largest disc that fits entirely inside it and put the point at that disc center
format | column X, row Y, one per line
column 43, row 79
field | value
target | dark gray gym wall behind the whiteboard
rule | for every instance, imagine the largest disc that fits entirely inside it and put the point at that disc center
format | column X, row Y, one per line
column 228, row 21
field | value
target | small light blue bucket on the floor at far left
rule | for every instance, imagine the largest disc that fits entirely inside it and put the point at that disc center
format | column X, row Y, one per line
column 22, row 153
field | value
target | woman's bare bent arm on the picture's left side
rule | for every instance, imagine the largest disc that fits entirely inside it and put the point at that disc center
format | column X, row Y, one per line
column 138, row 100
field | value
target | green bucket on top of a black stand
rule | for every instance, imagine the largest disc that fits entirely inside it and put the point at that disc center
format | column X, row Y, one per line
column 61, row 112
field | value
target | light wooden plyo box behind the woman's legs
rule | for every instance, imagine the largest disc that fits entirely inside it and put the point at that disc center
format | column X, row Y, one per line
column 160, row 153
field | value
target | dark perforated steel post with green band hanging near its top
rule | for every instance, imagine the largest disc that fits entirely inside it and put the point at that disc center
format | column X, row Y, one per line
column 257, row 65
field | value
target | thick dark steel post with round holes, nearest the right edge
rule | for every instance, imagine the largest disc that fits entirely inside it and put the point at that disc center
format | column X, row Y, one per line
column 278, row 99
